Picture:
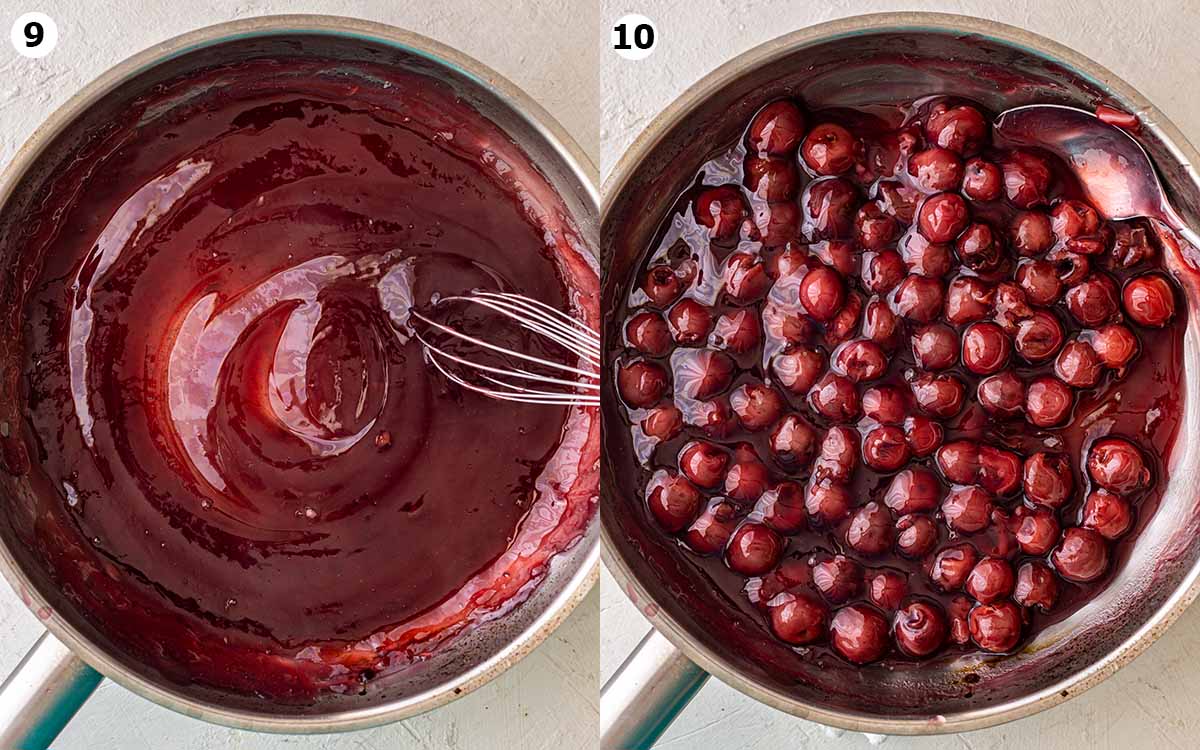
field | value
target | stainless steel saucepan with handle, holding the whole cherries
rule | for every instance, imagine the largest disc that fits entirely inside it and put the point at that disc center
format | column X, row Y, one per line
column 849, row 63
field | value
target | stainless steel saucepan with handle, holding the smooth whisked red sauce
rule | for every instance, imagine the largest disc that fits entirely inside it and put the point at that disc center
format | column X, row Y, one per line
column 67, row 664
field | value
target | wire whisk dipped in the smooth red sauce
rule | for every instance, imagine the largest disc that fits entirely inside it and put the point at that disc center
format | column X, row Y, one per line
column 557, row 385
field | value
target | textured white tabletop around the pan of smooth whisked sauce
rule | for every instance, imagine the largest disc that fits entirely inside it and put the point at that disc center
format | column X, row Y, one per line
column 549, row 700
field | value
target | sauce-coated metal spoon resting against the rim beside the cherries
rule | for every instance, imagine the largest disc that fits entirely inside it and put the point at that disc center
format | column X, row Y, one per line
column 1113, row 169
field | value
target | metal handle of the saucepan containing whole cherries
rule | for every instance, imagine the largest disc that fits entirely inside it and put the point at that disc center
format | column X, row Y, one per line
column 647, row 693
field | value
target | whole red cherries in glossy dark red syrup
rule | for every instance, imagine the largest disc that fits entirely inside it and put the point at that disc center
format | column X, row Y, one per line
column 898, row 392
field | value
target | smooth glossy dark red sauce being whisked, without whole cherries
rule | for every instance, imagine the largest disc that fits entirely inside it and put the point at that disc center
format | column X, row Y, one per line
column 248, row 473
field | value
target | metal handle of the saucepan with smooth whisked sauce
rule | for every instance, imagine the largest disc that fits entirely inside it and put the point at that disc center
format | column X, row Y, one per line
column 43, row 694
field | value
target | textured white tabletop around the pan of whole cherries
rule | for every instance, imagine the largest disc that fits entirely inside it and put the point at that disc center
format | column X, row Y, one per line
column 1156, row 700
